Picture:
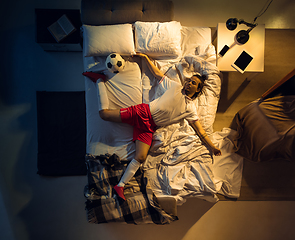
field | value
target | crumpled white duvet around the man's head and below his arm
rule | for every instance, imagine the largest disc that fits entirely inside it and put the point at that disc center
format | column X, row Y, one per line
column 179, row 164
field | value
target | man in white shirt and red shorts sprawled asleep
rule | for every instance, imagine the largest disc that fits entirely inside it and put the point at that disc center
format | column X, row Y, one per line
column 175, row 104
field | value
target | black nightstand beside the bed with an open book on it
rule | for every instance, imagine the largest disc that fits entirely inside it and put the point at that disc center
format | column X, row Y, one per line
column 45, row 17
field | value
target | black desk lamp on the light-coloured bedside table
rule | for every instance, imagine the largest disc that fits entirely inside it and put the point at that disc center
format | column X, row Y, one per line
column 242, row 36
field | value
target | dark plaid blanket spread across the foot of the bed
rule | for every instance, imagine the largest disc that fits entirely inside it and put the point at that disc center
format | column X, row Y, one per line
column 102, row 205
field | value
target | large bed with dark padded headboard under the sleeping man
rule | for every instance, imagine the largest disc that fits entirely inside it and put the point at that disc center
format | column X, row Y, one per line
column 178, row 165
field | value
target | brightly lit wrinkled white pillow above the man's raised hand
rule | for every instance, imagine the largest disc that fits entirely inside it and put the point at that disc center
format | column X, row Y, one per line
column 158, row 39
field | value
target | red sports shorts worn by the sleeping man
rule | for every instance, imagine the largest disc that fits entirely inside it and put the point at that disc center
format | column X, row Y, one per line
column 139, row 116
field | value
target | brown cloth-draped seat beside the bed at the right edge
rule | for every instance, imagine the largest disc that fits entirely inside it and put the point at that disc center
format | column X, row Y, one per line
column 266, row 126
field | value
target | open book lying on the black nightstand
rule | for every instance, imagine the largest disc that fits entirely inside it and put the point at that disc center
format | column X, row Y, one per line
column 61, row 28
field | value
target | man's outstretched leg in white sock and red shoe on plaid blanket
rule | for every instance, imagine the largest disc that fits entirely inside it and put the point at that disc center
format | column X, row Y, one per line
column 142, row 150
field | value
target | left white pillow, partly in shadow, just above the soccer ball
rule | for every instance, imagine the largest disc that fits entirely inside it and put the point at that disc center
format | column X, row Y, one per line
column 103, row 40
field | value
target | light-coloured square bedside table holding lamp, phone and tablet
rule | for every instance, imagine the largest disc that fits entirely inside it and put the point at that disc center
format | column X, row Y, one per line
column 254, row 46
